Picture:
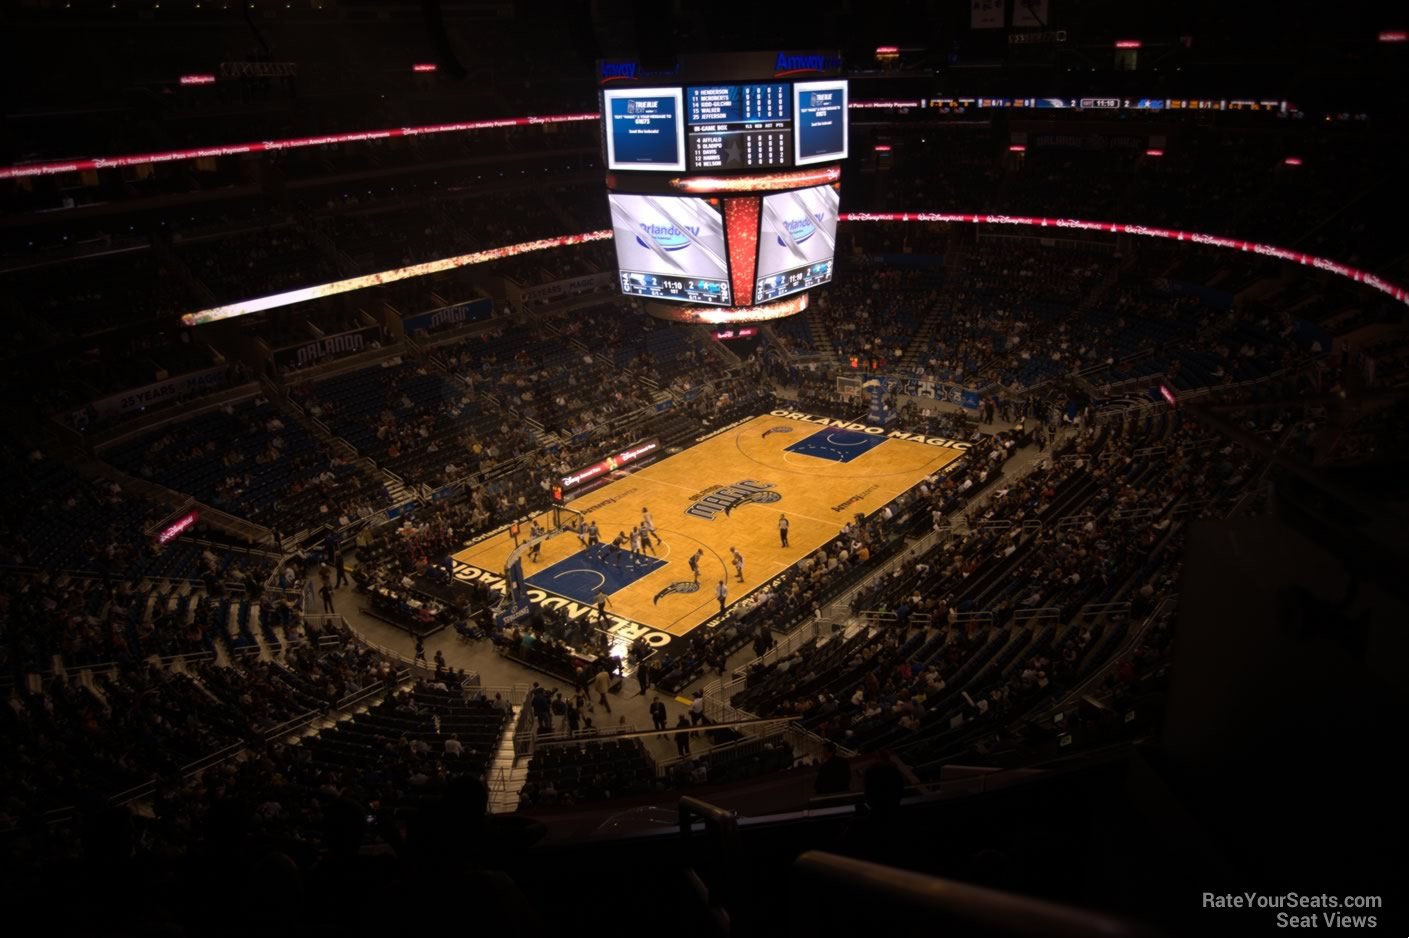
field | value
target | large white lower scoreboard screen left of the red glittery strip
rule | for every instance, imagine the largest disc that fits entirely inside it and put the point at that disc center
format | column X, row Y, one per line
column 671, row 249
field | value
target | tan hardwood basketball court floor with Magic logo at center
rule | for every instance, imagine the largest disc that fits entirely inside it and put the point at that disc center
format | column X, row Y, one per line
column 805, row 471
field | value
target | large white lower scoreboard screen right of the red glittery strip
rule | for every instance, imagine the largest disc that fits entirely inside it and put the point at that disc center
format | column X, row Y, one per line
column 797, row 242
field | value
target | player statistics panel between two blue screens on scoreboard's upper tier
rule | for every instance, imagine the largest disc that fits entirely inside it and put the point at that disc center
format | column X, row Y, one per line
column 739, row 126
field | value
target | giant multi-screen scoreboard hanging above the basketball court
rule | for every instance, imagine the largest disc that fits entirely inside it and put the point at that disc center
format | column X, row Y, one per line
column 724, row 181
